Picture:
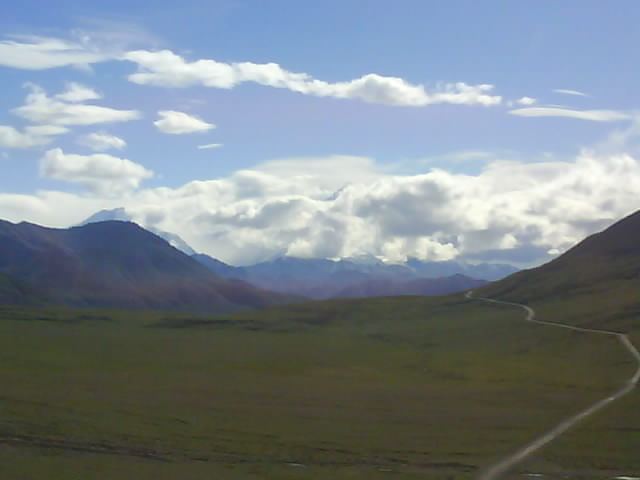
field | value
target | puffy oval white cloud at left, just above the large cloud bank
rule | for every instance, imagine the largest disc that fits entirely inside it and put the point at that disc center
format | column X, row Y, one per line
column 100, row 173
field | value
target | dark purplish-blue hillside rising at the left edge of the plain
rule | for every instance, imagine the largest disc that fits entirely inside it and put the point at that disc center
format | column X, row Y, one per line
column 118, row 264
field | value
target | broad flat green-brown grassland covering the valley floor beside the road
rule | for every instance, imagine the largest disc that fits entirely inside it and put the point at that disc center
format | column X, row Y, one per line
column 384, row 388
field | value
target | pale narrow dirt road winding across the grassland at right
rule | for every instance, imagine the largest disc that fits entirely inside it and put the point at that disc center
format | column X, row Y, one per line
column 504, row 465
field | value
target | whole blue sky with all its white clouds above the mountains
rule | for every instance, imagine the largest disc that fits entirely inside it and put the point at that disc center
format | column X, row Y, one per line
column 470, row 130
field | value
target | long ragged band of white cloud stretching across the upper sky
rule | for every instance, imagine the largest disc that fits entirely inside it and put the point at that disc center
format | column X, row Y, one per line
column 166, row 69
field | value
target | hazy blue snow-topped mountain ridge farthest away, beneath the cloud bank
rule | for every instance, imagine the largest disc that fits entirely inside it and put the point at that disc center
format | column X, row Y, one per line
column 320, row 278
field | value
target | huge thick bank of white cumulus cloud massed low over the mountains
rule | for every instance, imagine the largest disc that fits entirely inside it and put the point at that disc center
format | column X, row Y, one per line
column 298, row 206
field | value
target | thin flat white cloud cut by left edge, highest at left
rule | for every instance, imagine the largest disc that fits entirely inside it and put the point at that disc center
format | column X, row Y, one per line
column 39, row 53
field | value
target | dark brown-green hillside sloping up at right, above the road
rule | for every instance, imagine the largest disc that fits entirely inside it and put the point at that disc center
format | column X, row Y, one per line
column 596, row 282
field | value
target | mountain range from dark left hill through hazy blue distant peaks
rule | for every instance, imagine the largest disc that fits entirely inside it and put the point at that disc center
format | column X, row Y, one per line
column 116, row 263
